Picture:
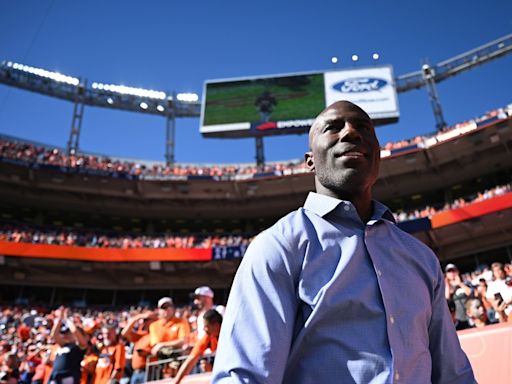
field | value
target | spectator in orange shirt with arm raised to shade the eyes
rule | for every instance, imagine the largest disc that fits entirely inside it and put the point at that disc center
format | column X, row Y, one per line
column 141, row 340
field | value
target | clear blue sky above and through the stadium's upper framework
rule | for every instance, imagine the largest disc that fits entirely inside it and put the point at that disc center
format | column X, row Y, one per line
column 176, row 46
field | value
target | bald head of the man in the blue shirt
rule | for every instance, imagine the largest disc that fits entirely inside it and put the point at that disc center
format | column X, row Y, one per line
column 344, row 151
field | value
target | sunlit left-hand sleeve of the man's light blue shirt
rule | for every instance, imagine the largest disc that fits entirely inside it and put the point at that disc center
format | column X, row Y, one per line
column 257, row 329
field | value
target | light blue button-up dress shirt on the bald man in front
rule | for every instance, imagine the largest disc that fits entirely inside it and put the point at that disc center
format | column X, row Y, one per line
column 321, row 297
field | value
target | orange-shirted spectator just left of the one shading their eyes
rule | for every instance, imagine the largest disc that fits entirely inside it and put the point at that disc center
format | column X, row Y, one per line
column 111, row 361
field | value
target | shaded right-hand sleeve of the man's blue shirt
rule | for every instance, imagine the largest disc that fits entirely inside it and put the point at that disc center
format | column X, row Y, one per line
column 449, row 362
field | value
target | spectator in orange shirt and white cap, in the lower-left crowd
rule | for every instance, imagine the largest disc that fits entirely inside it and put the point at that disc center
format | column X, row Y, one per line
column 168, row 331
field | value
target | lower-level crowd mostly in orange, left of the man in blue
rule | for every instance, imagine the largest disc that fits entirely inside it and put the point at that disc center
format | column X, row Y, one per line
column 70, row 346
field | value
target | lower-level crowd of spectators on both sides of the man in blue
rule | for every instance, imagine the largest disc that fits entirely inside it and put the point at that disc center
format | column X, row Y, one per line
column 115, row 346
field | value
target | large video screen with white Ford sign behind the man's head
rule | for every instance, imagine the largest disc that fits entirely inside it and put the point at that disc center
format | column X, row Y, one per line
column 289, row 103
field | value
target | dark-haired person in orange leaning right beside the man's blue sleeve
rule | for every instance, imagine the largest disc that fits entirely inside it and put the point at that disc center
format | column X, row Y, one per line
column 212, row 323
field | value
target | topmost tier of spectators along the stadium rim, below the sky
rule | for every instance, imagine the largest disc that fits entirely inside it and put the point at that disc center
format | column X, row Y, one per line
column 31, row 155
